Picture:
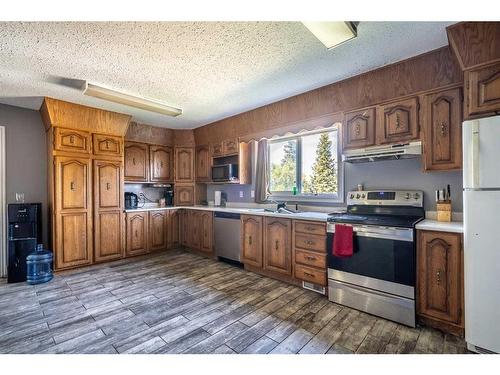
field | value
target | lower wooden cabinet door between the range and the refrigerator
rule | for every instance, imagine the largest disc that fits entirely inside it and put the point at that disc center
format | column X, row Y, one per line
column 439, row 275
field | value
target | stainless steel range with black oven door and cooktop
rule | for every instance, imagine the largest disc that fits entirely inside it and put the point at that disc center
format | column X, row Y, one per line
column 379, row 278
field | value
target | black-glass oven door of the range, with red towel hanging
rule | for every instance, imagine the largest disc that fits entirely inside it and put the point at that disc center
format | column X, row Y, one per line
column 381, row 254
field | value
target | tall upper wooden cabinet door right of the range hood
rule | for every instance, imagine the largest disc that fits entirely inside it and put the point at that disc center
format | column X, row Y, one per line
column 442, row 130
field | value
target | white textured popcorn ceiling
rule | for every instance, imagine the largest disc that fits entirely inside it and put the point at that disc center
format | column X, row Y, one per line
column 211, row 70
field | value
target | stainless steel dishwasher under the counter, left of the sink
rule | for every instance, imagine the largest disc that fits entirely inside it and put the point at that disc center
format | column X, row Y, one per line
column 227, row 229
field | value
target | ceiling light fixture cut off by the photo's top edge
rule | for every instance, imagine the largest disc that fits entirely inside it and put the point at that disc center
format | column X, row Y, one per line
column 331, row 34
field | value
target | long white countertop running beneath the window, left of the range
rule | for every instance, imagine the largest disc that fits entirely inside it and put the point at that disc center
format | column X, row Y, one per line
column 313, row 216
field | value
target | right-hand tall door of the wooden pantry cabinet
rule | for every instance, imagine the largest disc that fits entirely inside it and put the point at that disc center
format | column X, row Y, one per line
column 108, row 203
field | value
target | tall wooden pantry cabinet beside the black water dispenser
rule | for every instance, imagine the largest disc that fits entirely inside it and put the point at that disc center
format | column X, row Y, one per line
column 85, row 184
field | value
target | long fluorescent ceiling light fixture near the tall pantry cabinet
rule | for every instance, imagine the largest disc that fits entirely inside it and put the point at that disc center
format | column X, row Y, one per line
column 130, row 100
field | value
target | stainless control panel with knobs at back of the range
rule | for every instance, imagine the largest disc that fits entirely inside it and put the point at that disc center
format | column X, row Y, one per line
column 414, row 198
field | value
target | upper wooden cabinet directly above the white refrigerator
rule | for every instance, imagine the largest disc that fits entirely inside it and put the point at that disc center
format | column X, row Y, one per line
column 482, row 86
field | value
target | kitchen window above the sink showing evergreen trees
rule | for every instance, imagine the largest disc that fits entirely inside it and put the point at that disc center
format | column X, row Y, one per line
column 306, row 167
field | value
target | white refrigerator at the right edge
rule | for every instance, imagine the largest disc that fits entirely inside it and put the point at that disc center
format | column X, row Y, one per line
column 481, row 173
